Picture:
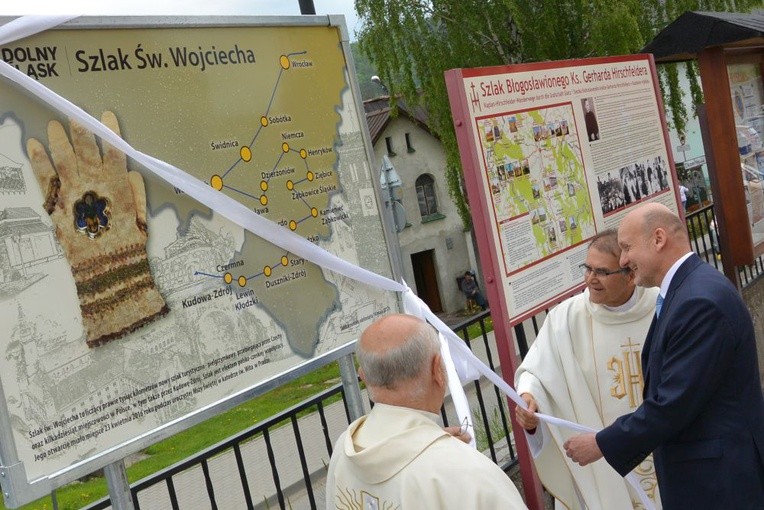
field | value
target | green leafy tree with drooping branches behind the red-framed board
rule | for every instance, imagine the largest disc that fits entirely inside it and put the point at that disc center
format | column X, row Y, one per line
column 412, row 42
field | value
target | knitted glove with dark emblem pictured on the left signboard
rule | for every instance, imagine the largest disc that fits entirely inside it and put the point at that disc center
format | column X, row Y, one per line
column 99, row 212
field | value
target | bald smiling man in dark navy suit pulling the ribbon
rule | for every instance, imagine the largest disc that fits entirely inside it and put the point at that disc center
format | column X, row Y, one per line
column 703, row 410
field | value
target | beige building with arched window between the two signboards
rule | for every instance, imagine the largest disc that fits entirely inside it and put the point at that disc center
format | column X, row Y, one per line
column 435, row 249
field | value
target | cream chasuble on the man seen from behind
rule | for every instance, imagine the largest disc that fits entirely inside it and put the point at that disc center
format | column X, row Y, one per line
column 396, row 458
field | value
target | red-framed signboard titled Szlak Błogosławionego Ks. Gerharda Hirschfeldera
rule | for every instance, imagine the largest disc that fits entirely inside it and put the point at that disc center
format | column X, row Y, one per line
column 553, row 153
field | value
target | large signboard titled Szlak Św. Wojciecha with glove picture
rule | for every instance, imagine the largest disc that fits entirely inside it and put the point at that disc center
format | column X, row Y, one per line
column 124, row 303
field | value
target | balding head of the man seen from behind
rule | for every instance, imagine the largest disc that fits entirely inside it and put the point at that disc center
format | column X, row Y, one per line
column 399, row 355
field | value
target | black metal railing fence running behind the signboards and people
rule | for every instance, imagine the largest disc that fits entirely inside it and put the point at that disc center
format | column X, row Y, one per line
column 492, row 423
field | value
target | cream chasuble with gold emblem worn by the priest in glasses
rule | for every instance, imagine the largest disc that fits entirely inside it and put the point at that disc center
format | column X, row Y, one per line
column 584, row 366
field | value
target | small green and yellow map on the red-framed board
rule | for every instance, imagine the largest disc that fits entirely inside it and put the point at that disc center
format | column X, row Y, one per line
column 536, row 177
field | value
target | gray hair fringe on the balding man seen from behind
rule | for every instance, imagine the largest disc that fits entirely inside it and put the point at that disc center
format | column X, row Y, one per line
column 406, row 361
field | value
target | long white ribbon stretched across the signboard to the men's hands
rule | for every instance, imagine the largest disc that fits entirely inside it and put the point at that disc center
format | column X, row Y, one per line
column 461, row 363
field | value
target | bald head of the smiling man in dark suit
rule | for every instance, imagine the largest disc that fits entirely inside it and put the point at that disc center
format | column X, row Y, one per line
column 652, row 238
